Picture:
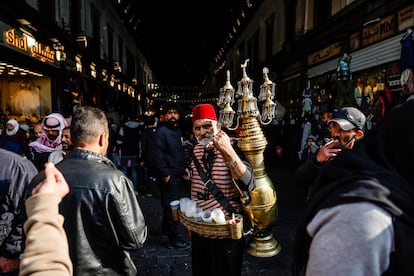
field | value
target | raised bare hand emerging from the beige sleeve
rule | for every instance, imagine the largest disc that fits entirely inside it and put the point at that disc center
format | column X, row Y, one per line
column 53, row 183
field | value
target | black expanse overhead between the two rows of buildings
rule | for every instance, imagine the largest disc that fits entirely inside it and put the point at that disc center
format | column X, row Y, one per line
column 181, row 38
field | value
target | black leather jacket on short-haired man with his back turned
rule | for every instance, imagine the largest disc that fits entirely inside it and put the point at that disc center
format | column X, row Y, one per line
column 103, row 219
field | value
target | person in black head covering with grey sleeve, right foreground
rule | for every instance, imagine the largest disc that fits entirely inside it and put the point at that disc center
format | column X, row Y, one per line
column 359, row 219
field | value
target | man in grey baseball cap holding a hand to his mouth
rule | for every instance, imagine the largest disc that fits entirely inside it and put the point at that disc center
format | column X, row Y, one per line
column 346, row 127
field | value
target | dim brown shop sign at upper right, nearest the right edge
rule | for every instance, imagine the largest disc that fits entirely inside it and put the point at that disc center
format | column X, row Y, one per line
column 378, row 31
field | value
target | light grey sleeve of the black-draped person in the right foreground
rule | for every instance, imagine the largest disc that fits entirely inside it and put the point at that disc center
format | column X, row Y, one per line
column 350, row 239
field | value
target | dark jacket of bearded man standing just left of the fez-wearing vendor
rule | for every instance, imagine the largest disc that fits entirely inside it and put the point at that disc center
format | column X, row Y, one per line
column 170, row 151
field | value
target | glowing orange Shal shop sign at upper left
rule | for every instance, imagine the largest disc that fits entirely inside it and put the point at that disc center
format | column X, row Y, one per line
column 29, row 45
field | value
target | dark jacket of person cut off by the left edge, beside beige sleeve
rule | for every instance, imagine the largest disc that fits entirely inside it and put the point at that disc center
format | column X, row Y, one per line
column 15, row 176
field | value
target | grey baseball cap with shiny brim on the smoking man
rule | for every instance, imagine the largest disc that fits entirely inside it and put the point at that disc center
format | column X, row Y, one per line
column 349, row 118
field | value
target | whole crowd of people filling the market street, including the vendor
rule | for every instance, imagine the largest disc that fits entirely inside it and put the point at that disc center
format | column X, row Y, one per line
column 69, row 205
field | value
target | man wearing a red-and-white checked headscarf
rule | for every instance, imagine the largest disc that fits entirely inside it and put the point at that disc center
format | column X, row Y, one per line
column 50, row 140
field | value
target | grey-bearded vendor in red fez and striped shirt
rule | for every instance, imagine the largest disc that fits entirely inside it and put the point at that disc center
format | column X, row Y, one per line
column 214, row 255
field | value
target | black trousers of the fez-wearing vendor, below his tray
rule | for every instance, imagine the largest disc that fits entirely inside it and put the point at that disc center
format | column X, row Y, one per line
column 216, row 256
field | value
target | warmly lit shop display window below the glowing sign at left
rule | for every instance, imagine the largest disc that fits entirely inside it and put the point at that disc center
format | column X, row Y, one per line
column 25, row 95
